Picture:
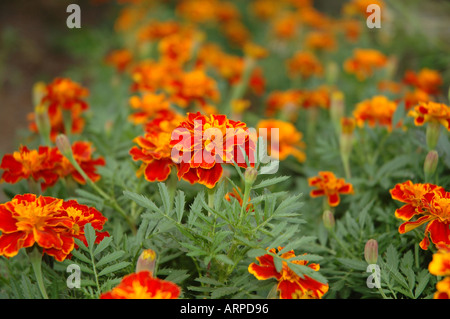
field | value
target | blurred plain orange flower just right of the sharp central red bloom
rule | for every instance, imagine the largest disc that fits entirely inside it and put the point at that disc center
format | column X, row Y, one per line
column 288, row 142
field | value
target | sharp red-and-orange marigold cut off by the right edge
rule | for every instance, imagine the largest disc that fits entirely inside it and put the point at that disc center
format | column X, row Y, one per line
column 431, row 204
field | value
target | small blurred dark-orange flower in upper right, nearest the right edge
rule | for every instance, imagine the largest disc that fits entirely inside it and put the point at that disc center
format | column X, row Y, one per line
column 426, row 79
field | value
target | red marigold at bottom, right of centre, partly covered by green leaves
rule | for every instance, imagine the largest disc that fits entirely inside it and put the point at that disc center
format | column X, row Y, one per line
column 290, row 285
